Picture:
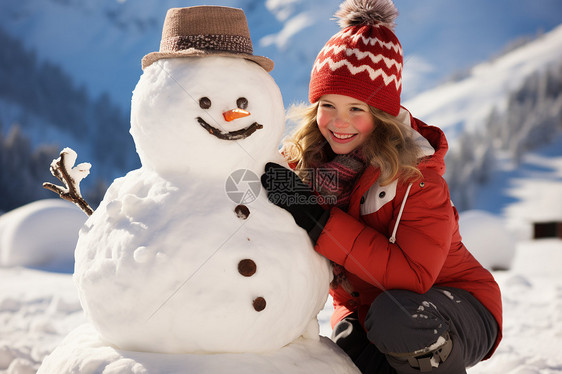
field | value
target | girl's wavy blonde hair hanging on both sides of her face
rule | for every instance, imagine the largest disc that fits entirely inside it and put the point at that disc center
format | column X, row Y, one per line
column 390, row 147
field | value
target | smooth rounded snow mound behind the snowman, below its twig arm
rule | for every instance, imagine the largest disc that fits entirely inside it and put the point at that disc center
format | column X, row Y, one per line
column 42, row 234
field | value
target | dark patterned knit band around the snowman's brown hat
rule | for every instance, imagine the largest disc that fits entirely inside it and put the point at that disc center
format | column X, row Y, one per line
column 211, row 43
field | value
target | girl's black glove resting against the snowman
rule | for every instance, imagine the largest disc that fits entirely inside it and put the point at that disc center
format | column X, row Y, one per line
column 286, row 190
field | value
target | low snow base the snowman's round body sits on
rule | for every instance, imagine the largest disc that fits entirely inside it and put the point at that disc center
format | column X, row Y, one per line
column 82, row 351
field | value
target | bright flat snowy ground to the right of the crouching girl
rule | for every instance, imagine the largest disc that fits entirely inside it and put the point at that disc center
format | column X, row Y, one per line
column 532, row 301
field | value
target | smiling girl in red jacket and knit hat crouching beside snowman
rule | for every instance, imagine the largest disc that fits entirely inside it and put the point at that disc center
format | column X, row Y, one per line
column 408, row 296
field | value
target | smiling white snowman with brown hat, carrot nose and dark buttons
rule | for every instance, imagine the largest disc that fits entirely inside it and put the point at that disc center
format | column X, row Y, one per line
column 186, row 255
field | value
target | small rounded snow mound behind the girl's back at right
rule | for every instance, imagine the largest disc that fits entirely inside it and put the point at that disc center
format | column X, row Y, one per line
column 486, row 237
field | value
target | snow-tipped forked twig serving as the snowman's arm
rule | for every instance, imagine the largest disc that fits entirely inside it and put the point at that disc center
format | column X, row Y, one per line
column 63, row 168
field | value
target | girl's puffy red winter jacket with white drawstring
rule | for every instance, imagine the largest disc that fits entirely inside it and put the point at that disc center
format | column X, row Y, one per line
column 382, row 249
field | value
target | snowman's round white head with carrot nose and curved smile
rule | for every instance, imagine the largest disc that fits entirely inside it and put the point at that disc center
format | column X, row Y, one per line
column 210, row 114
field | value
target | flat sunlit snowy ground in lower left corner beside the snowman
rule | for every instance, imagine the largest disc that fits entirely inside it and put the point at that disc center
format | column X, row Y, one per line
column 37, row 309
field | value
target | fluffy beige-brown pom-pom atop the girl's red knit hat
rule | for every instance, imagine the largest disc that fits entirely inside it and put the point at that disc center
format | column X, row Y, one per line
column 367, row 12
